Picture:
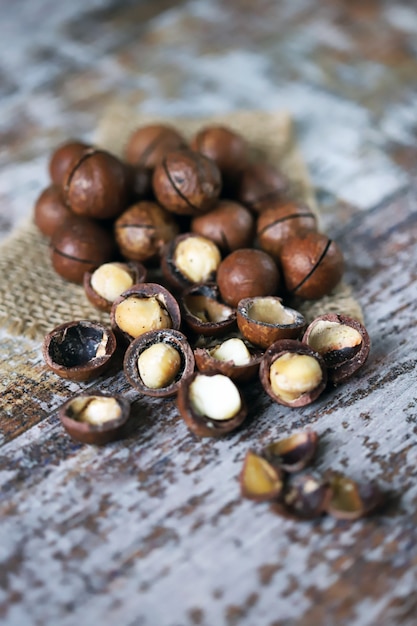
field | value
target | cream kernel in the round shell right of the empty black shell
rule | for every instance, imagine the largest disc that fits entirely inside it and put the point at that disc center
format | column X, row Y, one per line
column 158, row 365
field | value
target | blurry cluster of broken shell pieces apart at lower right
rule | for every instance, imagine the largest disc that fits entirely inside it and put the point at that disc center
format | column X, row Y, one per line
column 269, row 476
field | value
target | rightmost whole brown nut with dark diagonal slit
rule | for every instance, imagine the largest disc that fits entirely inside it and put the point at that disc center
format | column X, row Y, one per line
column 312, row 265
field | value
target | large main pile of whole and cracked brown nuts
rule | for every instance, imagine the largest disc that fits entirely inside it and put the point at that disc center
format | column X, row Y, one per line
column 196, row 253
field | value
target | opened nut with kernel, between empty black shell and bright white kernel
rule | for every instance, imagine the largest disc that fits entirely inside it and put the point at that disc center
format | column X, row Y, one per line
column 156, row 362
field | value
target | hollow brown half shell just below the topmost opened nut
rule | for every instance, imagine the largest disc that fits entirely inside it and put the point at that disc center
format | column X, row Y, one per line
column 203, row 311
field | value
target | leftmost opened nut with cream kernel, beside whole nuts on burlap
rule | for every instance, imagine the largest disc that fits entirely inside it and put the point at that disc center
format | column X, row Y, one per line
column 108, row 281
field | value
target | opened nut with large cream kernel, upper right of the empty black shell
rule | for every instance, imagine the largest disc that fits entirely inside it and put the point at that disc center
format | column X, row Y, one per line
column 144, row 307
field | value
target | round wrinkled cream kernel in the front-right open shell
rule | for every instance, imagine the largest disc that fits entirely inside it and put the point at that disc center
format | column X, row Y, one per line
column 293, row 375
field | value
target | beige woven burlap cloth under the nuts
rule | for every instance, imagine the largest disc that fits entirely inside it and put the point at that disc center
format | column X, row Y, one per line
column 33, row 299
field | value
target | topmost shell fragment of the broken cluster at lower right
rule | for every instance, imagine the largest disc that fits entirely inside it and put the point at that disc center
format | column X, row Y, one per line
column 293, row 453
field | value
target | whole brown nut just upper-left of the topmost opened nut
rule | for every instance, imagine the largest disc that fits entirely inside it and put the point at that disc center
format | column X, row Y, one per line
column 143, row 229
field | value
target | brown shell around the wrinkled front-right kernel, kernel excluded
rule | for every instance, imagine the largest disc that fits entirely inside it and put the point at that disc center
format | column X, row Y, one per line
column 279, row 348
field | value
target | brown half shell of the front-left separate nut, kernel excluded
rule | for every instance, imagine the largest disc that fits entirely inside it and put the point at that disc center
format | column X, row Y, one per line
column 94, row 434
